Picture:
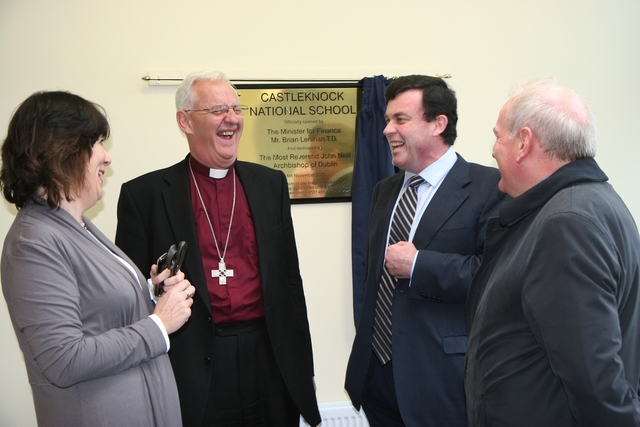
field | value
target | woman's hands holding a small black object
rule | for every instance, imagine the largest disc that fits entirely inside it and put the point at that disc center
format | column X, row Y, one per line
column 174, row 306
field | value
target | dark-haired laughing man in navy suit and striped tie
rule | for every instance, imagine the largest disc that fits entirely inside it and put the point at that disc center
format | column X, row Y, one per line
column 413, row 377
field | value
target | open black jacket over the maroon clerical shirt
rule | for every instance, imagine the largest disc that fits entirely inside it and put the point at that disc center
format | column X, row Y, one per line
column 155, row 211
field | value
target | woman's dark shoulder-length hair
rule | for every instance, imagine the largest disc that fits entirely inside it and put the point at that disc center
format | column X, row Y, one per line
column 48, row 146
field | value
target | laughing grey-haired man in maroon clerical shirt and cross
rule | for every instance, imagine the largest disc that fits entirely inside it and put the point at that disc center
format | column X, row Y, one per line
column 245, row 357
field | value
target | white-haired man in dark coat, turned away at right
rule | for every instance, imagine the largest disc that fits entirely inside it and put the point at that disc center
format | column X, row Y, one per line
column 553, row 313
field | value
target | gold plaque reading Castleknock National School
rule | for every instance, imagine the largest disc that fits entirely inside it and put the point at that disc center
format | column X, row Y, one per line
column 308, row 133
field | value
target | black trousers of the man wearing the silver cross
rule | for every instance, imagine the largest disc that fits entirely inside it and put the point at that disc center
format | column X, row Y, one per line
column 247, row 389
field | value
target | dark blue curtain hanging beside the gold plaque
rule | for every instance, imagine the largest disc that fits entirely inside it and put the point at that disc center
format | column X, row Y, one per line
column 372, row 163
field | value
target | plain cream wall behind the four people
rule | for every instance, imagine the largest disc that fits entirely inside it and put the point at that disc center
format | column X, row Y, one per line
column 100, row 50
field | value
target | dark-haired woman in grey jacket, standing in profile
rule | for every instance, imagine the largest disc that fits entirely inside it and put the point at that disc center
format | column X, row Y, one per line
column 94, row 344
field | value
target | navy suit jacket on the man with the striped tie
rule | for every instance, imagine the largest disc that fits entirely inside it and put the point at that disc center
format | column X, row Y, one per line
column 428, row 328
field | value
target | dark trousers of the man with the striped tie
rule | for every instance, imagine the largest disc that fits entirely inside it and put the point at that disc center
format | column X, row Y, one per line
column 379, row 400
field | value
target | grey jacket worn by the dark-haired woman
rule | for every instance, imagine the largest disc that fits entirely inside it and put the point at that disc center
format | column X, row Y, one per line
column 93, row 356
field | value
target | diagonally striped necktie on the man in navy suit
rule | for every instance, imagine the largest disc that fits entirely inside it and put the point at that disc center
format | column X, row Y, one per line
column 399, row 232
